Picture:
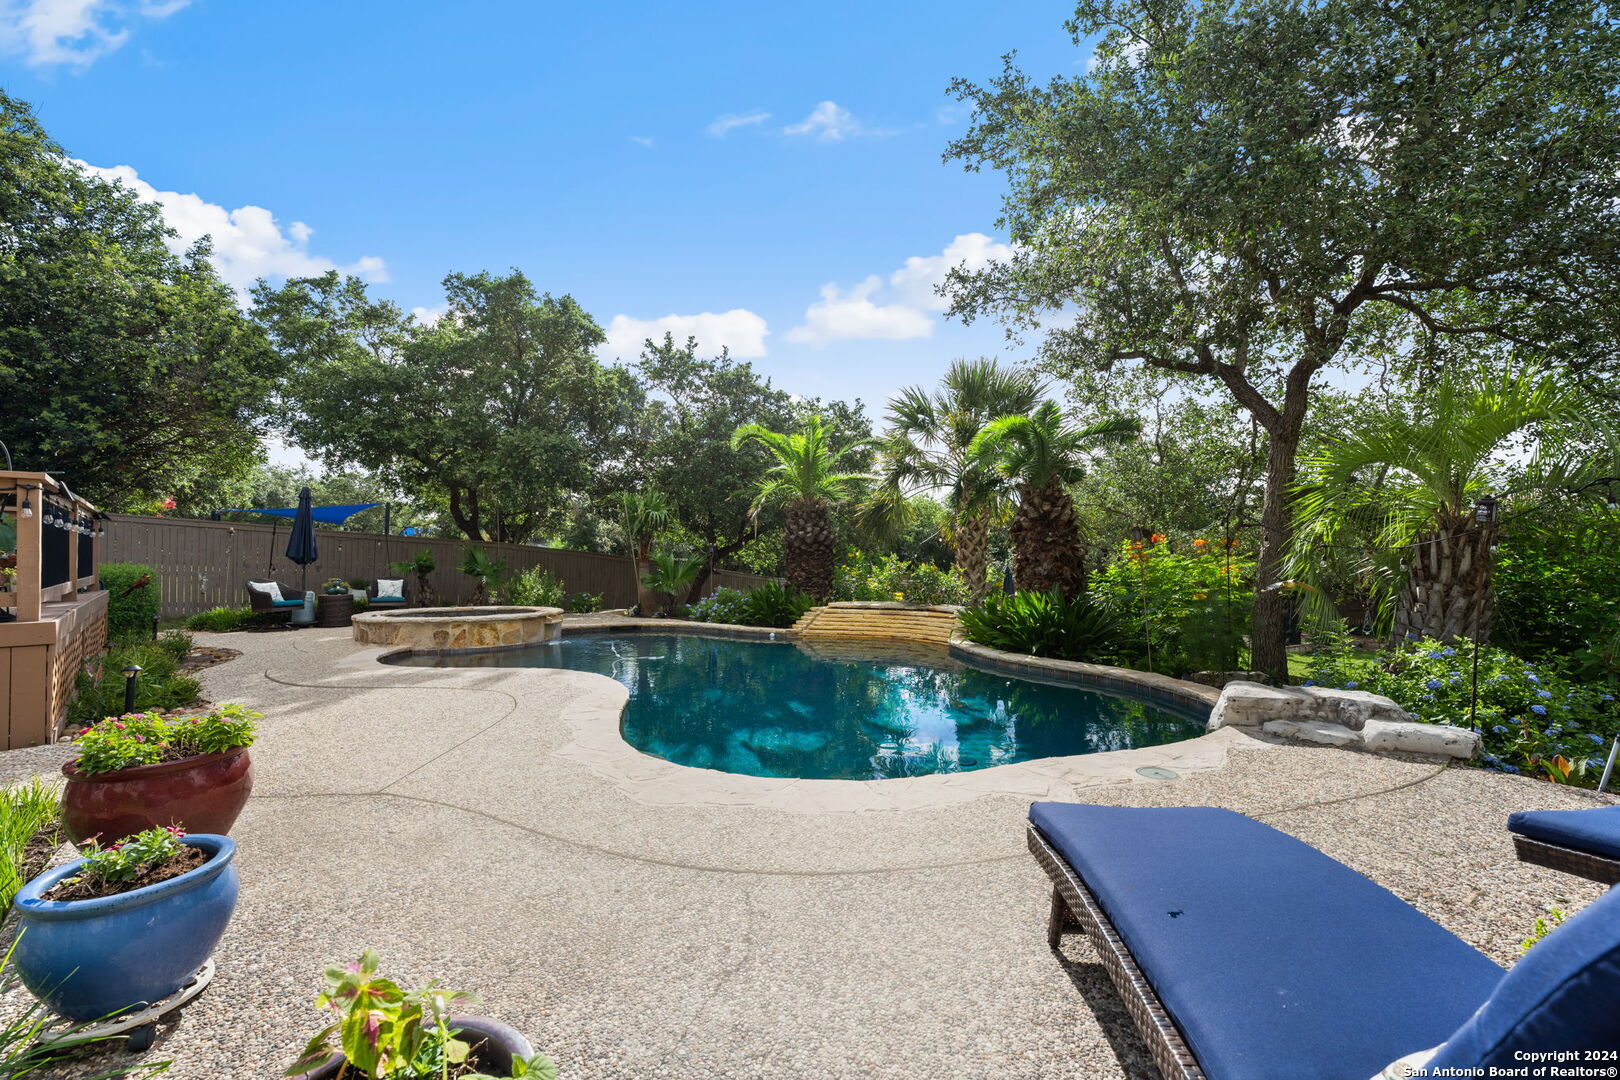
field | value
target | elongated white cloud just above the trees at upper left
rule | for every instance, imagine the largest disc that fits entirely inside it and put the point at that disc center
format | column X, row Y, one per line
column 249, row 244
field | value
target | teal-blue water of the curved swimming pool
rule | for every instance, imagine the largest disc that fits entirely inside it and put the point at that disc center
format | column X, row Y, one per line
column 846, row 712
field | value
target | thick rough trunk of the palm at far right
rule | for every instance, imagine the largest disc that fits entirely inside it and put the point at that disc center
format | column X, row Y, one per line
column 1449, row 593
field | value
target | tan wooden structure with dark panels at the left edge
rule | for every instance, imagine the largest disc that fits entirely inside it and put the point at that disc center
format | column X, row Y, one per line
column 61, row 608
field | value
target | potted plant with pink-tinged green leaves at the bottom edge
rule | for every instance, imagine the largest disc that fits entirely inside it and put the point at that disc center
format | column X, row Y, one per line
column 383, row 1032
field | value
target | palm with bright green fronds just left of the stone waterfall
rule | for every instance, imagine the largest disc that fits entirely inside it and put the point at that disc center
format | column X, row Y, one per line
column 806, row 480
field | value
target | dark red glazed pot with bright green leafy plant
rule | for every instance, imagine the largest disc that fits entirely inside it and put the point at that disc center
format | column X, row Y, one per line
column 143, row 770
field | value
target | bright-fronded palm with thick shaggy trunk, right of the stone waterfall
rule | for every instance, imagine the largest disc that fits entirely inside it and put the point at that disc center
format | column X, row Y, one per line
column 1041, row 453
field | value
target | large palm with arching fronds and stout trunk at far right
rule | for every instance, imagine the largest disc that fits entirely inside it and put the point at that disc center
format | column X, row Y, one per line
column 1418, row 483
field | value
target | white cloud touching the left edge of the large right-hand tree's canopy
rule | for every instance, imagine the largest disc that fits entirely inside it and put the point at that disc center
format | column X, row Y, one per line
column 900, row 308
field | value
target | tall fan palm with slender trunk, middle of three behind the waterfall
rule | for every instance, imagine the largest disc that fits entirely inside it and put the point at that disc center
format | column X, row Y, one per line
column 927, row 448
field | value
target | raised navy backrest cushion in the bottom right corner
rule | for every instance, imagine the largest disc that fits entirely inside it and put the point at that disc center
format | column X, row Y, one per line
column 1562, row 997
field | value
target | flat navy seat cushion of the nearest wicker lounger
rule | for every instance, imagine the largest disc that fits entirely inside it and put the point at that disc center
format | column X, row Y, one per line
column 1274, row 961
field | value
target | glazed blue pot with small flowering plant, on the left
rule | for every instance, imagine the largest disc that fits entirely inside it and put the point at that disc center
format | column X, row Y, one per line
column 127, row 925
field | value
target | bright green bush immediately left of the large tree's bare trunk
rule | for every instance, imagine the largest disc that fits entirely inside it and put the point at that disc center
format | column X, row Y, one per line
column 1188, row 610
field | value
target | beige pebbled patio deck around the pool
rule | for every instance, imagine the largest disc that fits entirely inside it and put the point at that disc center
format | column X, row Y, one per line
column 446, row 819
